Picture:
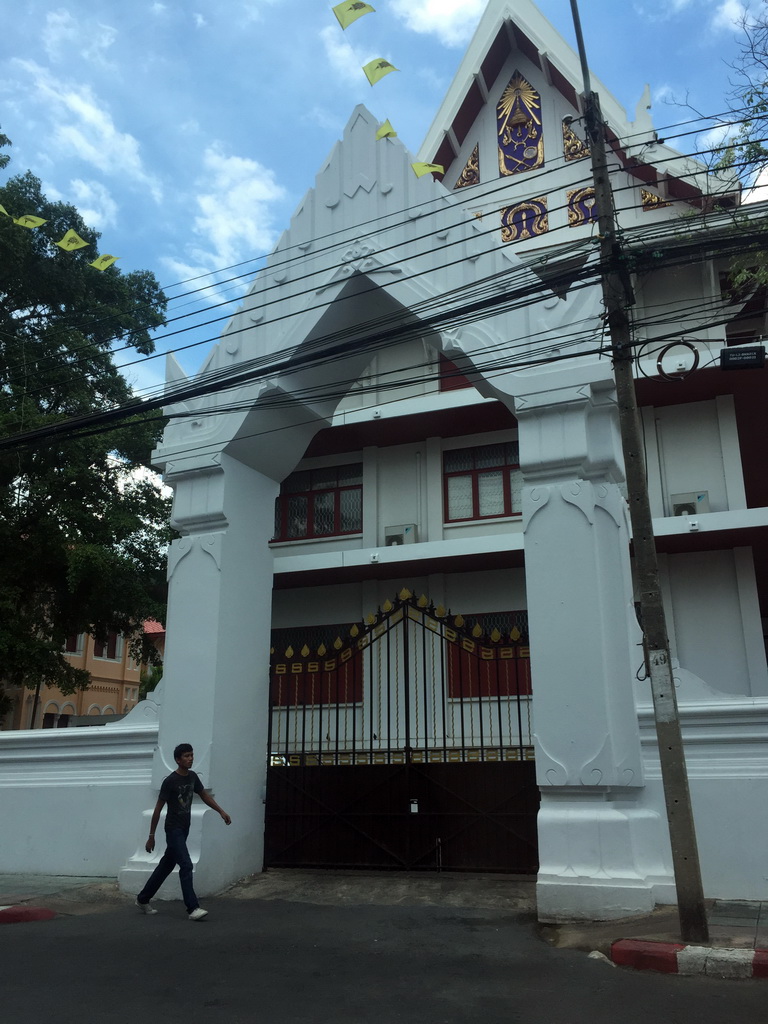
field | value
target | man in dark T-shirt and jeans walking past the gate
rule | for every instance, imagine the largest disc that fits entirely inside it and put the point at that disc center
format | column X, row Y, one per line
column 177, row 794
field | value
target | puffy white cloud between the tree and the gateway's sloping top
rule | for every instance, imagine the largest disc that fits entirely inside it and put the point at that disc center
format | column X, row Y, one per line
column 235, row 220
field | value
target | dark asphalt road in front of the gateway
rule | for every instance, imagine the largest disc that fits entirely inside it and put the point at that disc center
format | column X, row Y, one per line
column 290, row 963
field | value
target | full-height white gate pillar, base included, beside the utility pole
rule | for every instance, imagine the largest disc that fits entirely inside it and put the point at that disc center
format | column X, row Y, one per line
column 604, row 852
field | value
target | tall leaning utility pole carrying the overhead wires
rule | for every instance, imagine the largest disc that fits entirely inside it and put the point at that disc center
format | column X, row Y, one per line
column 617, row 297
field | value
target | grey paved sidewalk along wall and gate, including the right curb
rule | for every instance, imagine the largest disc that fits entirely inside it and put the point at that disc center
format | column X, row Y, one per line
column 739, row 931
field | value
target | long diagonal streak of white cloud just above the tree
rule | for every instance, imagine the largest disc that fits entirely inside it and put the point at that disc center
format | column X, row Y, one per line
column 80, row 126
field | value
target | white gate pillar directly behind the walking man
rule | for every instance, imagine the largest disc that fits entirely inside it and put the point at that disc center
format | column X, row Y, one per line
column 217, row 668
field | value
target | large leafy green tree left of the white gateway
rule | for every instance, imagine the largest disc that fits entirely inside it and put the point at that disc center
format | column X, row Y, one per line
column 83, row 530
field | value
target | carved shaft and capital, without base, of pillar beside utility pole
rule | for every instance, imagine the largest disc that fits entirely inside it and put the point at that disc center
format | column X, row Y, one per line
column 579, row 593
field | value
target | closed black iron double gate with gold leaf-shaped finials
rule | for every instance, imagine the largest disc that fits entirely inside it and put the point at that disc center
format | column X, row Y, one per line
column 403, row 743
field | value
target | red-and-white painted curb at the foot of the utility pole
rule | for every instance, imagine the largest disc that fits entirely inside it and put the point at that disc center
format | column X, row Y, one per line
column 674, row 958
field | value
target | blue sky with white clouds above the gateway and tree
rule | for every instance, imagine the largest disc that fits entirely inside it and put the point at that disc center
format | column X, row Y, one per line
column 188, row 133
